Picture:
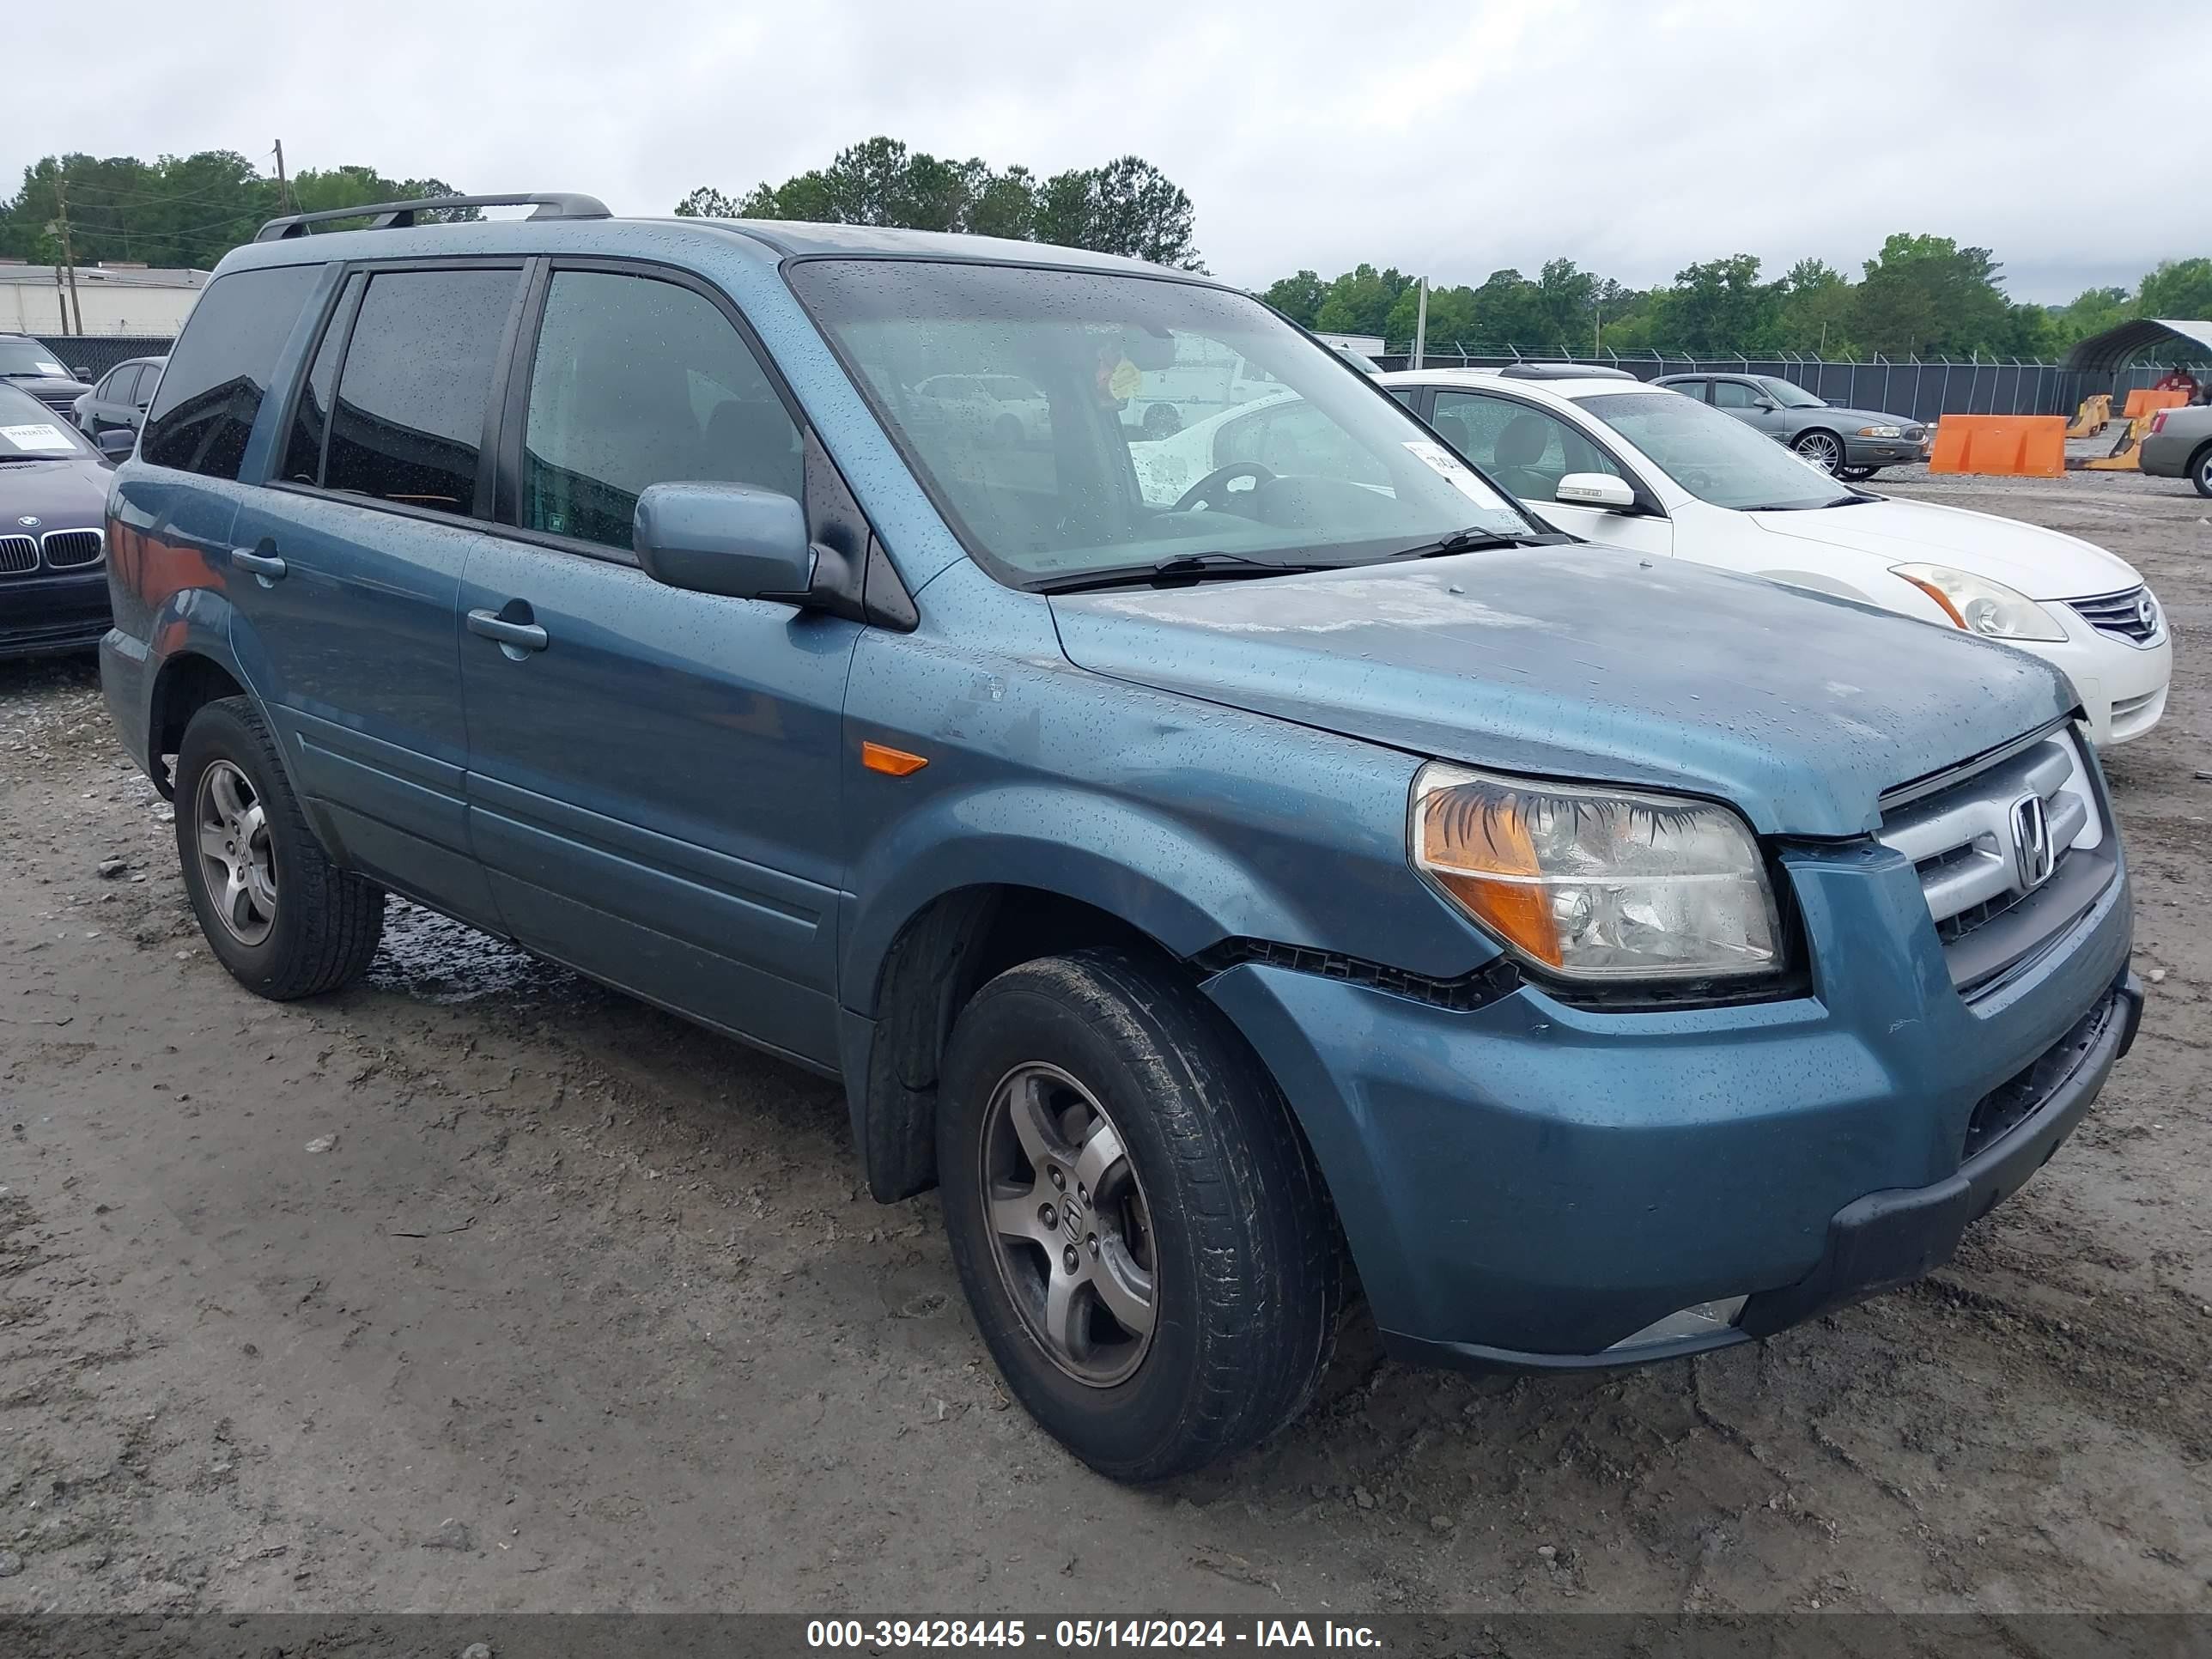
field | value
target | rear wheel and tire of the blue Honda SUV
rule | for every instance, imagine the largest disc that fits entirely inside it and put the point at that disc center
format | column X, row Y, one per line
column 298, row 924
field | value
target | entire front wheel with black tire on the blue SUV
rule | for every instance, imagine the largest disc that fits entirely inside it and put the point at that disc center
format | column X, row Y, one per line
column 1218, row 1220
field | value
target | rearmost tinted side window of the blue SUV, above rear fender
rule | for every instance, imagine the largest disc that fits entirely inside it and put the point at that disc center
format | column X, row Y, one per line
column 222, row 368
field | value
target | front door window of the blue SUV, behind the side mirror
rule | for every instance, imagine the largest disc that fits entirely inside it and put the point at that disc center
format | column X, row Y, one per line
column 640, row 384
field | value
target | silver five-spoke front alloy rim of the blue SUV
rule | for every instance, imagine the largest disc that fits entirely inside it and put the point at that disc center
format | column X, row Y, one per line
column 1070, row 1224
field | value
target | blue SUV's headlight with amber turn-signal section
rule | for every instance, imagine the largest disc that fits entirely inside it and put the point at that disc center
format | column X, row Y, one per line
column 1598, row 884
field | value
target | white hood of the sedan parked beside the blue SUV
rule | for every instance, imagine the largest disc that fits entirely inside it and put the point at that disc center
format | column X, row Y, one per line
column 2038, row 563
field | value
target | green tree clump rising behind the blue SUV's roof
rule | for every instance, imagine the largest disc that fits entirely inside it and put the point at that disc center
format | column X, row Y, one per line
column 1125, row 207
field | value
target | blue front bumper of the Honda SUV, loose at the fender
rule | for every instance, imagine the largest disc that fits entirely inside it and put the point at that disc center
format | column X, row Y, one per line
column 1532, row 1182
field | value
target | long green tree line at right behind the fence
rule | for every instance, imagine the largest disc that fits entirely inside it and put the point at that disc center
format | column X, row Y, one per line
column 1919, row 295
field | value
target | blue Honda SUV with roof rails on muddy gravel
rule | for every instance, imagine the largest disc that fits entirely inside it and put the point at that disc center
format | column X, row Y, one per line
column 1215, row 890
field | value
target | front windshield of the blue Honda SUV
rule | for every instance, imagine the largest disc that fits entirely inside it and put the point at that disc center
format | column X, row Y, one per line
column 1142, row 450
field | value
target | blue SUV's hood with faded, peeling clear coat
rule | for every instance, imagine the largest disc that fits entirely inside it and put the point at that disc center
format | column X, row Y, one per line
column 1596, row 665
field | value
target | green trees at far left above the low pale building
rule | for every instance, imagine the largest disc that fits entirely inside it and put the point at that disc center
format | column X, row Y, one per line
column 176, row 209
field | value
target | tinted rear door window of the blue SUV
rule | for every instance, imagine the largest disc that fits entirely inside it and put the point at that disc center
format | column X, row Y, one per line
column 410, row 413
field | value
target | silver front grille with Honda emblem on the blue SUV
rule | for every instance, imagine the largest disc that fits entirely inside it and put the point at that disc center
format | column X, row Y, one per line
column 1965, row 846
